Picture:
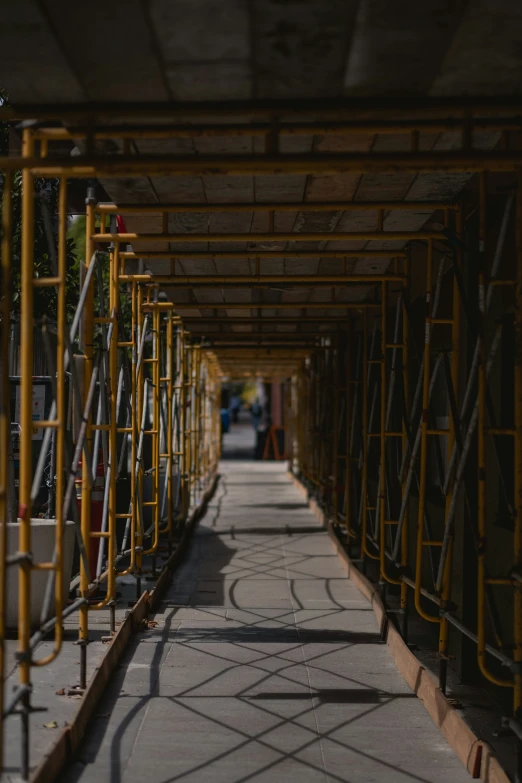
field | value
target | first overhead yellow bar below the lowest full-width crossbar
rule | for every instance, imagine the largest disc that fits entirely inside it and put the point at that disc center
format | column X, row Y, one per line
column 275, row 206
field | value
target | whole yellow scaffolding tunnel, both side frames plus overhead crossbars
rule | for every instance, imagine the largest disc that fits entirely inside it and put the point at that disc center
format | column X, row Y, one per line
column 196, row 377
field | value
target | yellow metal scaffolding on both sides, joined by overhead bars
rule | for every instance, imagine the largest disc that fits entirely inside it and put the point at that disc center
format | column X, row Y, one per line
column 365, row 402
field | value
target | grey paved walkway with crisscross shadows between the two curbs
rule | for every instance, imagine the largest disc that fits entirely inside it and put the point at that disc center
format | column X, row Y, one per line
column 265, row 664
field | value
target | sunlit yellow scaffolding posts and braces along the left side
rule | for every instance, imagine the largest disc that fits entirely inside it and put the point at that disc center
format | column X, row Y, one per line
column 131, row 407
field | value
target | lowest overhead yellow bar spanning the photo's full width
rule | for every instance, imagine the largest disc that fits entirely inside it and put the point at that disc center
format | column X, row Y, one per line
column 79, row 167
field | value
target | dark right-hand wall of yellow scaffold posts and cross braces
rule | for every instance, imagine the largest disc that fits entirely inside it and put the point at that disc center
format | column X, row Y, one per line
column 406, row 419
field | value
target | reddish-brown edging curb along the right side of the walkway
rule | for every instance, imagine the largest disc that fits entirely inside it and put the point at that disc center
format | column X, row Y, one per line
column 477, row 756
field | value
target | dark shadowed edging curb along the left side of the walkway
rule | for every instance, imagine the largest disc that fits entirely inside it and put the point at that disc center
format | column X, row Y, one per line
column 67, row 744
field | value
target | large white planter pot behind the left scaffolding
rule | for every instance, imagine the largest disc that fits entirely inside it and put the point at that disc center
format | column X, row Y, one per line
column 43, row 533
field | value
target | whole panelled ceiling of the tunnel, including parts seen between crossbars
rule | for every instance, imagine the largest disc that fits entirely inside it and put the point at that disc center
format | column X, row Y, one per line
column 57, row 52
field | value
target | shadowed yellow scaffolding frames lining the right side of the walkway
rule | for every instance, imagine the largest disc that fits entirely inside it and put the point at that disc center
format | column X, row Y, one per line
column 360, row 508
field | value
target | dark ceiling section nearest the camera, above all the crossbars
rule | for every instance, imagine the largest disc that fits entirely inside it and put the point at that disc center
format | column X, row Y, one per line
column 187, row 50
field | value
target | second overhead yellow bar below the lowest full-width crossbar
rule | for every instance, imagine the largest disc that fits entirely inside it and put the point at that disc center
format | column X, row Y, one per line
column 286, row 236
